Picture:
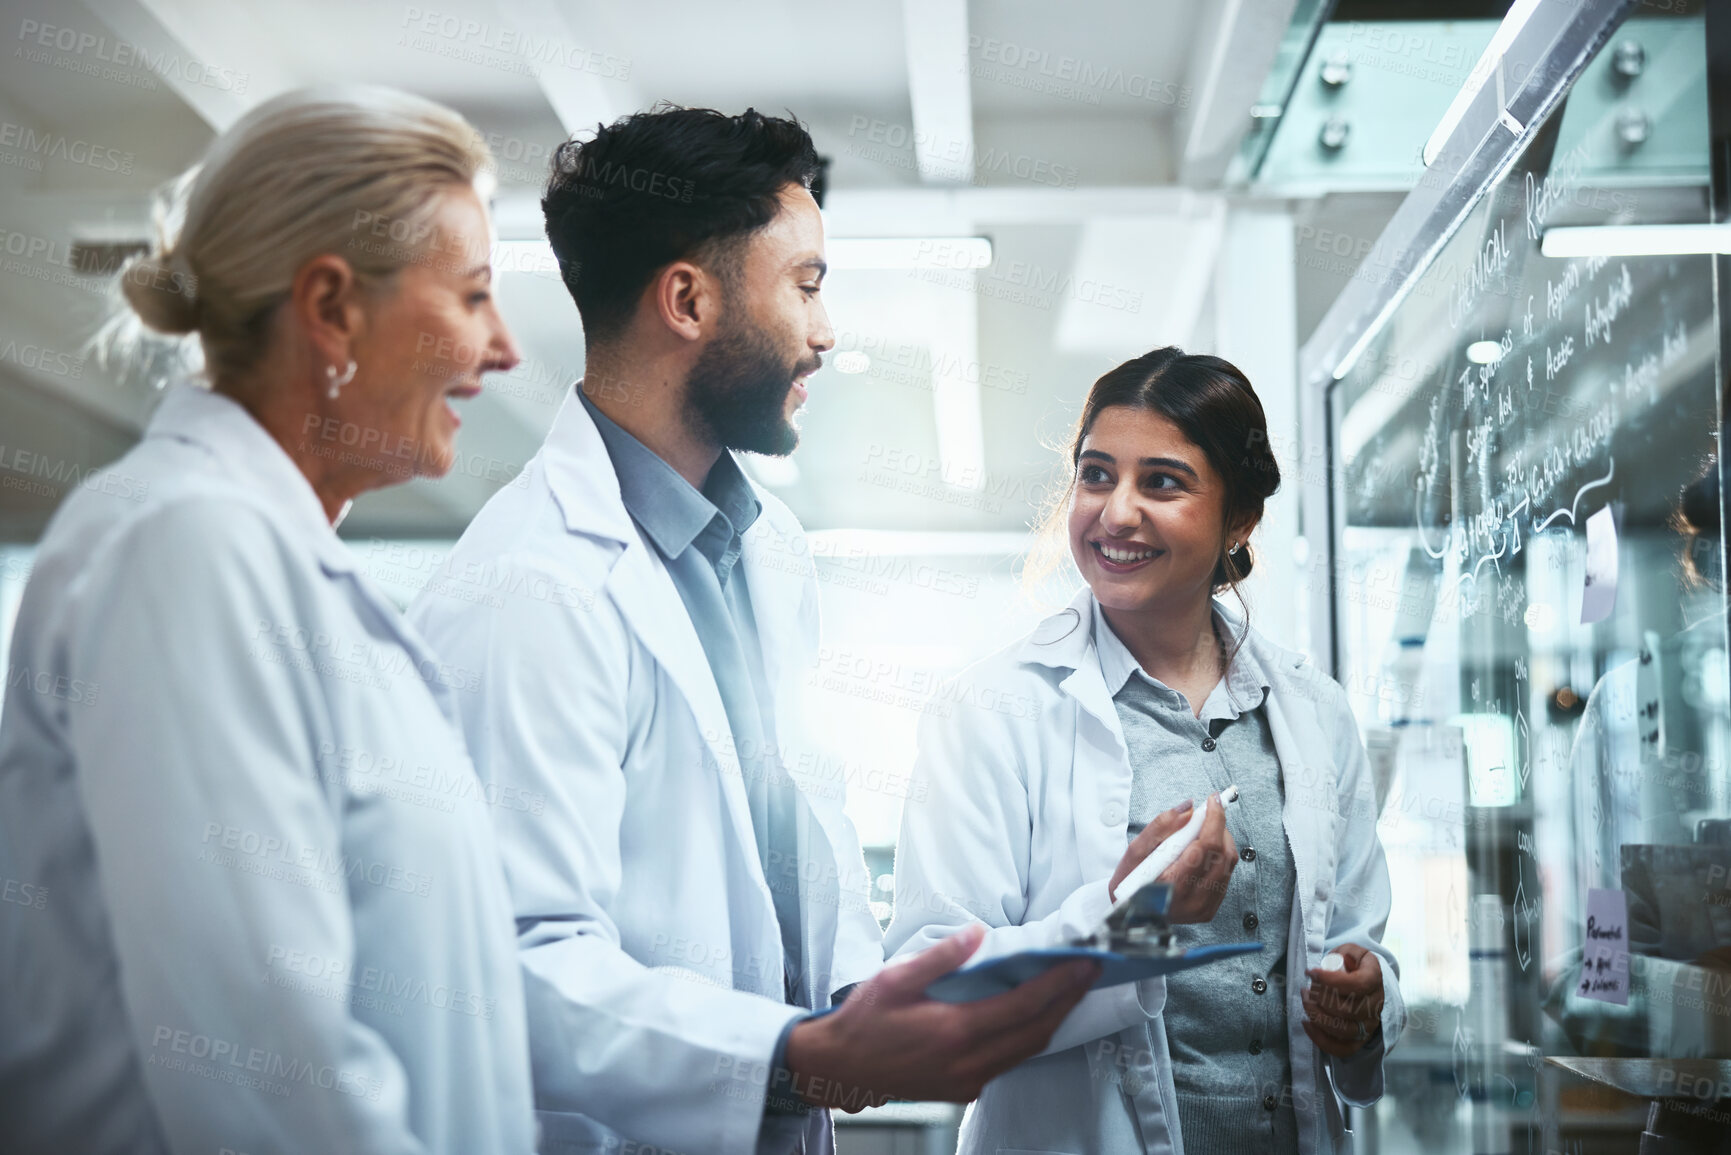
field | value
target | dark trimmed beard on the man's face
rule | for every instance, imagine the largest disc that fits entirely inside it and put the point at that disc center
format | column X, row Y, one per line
column 738, row 392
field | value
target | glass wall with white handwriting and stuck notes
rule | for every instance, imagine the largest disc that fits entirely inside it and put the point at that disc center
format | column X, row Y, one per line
column 1531, row 616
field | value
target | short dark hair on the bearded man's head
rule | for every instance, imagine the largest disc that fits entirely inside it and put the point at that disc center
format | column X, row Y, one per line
column 664, row 186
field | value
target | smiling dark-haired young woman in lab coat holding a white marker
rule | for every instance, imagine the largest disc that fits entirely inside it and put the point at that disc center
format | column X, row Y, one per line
column 1072, row 754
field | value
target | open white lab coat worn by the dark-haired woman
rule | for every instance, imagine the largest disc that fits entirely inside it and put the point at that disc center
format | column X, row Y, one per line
column 1017, row 820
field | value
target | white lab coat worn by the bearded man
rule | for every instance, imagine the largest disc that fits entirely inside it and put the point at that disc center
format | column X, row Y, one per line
column 652, row 953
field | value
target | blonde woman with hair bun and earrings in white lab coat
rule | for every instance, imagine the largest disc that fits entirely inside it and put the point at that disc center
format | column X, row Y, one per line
column 274, row 917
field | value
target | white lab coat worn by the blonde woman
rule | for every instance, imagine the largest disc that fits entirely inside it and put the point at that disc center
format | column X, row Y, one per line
column 274, row 917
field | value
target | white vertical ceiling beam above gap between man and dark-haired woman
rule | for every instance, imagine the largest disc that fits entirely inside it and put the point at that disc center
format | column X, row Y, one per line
column 936, row 35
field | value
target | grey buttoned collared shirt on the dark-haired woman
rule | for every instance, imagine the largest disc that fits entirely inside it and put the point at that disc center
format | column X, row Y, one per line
column 1226, row 1023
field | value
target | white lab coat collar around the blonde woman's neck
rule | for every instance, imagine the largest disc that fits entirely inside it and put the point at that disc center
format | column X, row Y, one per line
column 254, row 460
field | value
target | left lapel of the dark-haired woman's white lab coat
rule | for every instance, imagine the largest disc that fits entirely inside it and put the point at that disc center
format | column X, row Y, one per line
column 1102, row 775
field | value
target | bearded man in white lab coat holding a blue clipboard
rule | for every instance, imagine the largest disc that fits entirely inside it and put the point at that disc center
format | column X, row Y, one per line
column 640, row 621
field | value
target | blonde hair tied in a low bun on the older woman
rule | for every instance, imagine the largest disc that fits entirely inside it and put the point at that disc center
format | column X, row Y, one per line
column 351, row 171
